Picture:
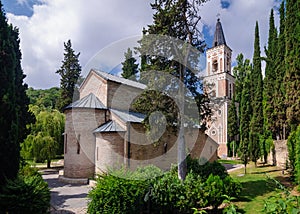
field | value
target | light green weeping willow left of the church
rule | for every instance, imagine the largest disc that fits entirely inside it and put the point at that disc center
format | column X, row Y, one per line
column 45, row 139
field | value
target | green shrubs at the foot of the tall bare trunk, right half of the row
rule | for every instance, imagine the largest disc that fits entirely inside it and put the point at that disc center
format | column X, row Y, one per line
column 170, row 194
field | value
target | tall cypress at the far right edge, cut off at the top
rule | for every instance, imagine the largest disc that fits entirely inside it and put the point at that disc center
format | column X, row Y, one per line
column 292, row 63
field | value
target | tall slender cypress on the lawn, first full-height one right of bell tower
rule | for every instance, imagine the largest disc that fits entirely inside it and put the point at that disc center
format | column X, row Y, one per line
column 256, row 124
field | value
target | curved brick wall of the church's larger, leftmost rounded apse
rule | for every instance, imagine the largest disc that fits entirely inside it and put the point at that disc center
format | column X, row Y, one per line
column 80, row 142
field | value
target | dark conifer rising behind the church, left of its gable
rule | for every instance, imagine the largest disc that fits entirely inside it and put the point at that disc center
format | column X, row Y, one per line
column 70, row 73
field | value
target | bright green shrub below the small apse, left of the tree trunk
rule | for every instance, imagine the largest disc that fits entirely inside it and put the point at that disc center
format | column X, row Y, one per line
column 121, row 191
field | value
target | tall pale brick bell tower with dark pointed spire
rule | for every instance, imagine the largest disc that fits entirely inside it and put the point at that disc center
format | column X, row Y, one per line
column 219, row 84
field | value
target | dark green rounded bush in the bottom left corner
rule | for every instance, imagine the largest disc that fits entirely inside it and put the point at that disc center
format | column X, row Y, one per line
column 28, row 193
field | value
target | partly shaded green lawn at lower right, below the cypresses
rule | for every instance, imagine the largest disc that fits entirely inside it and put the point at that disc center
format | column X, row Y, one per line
column 256, row 186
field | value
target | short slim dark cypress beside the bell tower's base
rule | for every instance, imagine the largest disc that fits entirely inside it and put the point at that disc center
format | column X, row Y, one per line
column 232, row 125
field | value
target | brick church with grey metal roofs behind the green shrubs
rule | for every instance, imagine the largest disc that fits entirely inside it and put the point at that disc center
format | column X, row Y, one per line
column 102, row 131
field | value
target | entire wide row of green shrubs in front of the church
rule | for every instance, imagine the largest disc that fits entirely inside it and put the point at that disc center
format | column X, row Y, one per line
column 131, row 192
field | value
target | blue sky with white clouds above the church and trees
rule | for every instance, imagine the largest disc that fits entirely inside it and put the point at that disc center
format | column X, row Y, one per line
column 95, row 26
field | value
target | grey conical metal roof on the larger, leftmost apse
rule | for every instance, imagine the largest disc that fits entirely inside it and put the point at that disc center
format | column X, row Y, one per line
column 89, row 101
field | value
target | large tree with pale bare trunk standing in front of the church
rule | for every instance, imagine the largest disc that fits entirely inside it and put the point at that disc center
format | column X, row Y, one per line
column 177, row 19
